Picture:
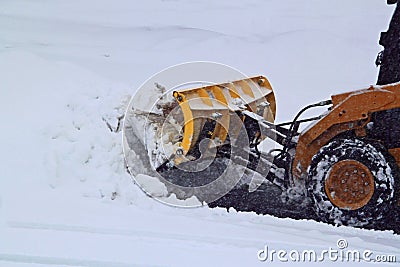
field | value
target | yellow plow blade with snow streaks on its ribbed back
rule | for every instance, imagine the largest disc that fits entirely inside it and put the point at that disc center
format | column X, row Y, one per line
column 219, row 103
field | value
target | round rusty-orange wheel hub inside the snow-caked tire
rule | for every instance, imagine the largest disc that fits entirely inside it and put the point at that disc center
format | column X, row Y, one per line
column 350, row 185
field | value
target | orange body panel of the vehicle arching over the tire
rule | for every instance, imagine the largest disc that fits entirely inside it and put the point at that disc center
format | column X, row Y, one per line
column 350, row 112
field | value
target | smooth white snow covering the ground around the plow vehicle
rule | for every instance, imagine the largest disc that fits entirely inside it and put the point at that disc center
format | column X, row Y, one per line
column 67, row 70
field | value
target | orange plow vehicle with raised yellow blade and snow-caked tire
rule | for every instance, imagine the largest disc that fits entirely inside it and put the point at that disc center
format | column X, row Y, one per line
column 346, row 160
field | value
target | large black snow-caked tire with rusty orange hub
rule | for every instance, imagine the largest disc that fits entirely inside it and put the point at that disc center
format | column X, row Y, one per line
column 361, row 153
